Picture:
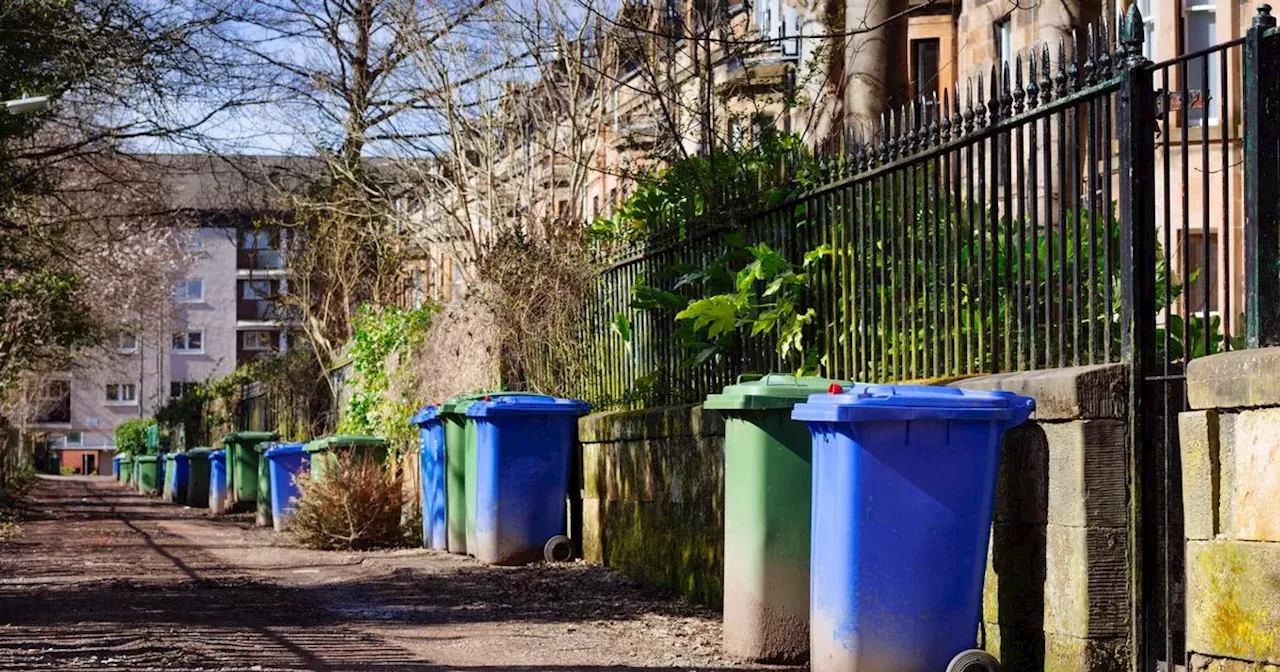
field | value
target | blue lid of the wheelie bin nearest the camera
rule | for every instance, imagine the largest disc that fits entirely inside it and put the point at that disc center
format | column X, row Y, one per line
column 915, row 403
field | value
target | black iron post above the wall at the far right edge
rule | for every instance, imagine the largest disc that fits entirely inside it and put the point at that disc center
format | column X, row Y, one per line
column 1261, row 182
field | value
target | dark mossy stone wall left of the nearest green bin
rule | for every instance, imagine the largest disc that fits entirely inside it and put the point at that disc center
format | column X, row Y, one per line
column 653, row 497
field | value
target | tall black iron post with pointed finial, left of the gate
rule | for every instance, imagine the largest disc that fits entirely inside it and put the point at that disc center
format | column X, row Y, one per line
column 1136, row 131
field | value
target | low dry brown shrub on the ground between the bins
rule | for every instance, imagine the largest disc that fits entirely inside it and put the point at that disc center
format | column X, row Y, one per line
column 356, row 508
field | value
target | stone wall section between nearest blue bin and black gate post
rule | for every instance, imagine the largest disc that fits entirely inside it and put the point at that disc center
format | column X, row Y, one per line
column 1057, row 593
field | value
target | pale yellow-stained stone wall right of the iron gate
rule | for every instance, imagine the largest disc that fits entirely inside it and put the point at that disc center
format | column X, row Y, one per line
column 1231, row 450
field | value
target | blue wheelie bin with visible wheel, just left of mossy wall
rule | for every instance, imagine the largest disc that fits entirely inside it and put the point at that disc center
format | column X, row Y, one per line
column 524, row 446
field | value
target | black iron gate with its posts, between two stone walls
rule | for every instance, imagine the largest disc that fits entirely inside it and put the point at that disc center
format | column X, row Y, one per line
column 1199, row 199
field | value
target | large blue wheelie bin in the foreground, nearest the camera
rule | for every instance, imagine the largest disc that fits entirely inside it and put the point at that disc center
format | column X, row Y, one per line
column 904, row 481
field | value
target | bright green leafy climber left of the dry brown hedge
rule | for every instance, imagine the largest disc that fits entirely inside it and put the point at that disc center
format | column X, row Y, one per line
column 385, row 337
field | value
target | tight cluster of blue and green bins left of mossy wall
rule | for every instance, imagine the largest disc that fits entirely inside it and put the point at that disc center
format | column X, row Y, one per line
column 495, row 476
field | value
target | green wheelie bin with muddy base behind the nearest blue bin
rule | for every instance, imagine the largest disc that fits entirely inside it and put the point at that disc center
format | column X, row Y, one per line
column 767, row 505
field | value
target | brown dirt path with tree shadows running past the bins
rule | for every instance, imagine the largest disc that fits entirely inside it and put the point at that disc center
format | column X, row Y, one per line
column 104, row 579
